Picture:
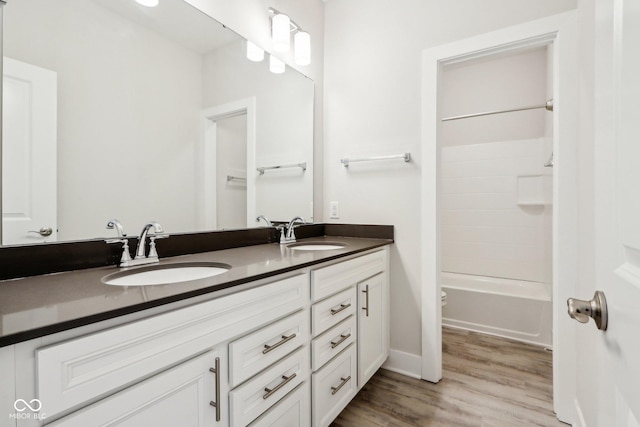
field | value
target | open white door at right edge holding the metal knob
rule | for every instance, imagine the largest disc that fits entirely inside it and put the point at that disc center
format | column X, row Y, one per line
column 608, row 371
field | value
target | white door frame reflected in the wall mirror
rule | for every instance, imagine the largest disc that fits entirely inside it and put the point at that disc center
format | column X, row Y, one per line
column 247, row 106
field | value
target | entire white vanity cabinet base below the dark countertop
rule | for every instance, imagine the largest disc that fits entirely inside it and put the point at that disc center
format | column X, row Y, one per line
column 292, row 350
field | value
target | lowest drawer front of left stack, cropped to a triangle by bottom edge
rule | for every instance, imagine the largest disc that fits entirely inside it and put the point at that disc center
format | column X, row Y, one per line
column 292, row 411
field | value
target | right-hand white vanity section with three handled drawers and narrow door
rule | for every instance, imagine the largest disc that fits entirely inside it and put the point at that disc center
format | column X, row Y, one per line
column 350, row 330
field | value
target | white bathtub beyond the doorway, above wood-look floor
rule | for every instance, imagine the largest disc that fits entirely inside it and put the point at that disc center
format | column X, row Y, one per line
column 508, row 308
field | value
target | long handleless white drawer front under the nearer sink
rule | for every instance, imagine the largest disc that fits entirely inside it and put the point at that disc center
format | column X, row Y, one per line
column 77, row 372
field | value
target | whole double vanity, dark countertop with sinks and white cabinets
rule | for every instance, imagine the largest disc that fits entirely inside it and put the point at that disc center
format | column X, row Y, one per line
column 262, row 335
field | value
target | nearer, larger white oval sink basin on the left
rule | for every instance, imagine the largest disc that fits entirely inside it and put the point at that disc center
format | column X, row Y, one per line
column 165, row 274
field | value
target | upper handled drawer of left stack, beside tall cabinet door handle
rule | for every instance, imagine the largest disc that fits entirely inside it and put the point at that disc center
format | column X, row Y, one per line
column 254, row 352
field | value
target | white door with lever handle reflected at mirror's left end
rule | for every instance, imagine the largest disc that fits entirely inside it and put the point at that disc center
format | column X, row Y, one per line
column 29, row 128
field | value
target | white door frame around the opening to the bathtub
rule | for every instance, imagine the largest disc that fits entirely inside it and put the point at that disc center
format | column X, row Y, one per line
column 559, row 31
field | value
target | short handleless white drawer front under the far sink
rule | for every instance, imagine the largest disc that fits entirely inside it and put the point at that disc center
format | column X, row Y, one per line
column 329, row 280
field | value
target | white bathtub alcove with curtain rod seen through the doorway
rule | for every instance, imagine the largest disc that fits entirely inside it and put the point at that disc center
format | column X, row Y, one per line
column 496, row 194
